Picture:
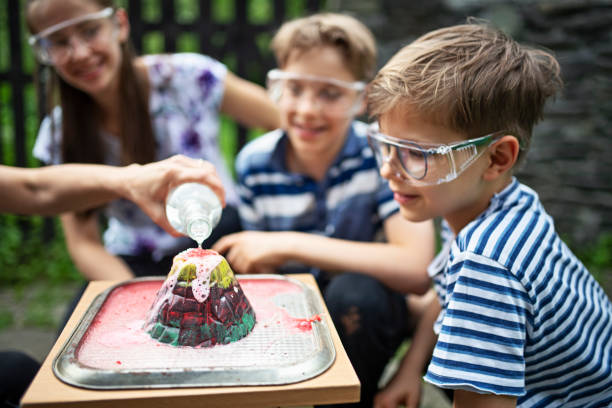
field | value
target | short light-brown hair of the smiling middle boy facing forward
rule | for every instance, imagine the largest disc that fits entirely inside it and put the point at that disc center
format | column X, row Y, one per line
column 350, row 37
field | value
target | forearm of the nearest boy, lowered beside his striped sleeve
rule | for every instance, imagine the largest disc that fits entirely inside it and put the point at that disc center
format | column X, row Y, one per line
column 405, row 386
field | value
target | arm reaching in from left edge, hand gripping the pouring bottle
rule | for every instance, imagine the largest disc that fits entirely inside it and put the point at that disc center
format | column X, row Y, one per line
column 69, row 187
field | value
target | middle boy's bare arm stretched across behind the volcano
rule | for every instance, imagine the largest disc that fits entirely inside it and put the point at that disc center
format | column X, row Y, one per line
column 400, row 263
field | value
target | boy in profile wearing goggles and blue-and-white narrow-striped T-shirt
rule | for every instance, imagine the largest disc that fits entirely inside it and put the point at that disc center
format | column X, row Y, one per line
column 521, row 322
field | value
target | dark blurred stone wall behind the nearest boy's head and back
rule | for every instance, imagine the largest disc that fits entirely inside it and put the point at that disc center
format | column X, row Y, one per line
column 570, row 162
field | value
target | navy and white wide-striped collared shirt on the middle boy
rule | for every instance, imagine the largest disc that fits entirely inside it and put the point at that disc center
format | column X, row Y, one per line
column 351, row 202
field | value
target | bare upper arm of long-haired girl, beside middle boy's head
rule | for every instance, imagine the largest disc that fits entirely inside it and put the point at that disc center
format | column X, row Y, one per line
column 249, row 104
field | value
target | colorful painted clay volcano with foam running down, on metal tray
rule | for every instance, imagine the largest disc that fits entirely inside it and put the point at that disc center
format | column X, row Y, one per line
column 200, row 304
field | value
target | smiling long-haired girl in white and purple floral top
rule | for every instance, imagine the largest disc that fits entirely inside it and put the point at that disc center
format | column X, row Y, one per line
column 116, row 108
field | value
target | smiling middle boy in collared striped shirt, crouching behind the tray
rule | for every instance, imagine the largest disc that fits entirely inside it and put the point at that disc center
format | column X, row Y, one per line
column 312, row 199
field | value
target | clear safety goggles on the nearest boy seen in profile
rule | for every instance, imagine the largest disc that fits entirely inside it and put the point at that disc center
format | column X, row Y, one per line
column 427, row 163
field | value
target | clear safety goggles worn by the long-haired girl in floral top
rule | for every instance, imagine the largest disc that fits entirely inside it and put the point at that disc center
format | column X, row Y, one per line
column 50, row 47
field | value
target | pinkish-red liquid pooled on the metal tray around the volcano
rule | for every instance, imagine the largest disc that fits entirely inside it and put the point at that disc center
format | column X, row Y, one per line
column 116, row 336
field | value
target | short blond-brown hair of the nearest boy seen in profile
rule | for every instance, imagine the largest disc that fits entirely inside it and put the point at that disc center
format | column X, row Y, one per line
column 471, row 78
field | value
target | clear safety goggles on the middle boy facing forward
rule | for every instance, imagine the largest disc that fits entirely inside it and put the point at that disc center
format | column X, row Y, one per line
column 299, row 91
